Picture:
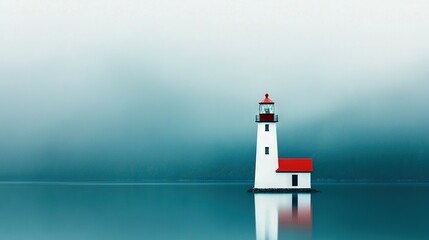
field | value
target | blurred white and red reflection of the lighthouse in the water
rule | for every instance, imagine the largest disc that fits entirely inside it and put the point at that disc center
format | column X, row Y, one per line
column 283, row 216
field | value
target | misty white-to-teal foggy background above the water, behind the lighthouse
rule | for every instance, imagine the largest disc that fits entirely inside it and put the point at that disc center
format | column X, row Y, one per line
column 167, row 90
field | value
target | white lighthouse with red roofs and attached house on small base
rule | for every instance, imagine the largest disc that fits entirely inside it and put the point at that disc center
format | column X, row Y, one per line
column 274, row 174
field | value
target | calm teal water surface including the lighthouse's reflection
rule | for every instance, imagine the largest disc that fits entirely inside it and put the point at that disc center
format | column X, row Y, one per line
column 371, row 211
